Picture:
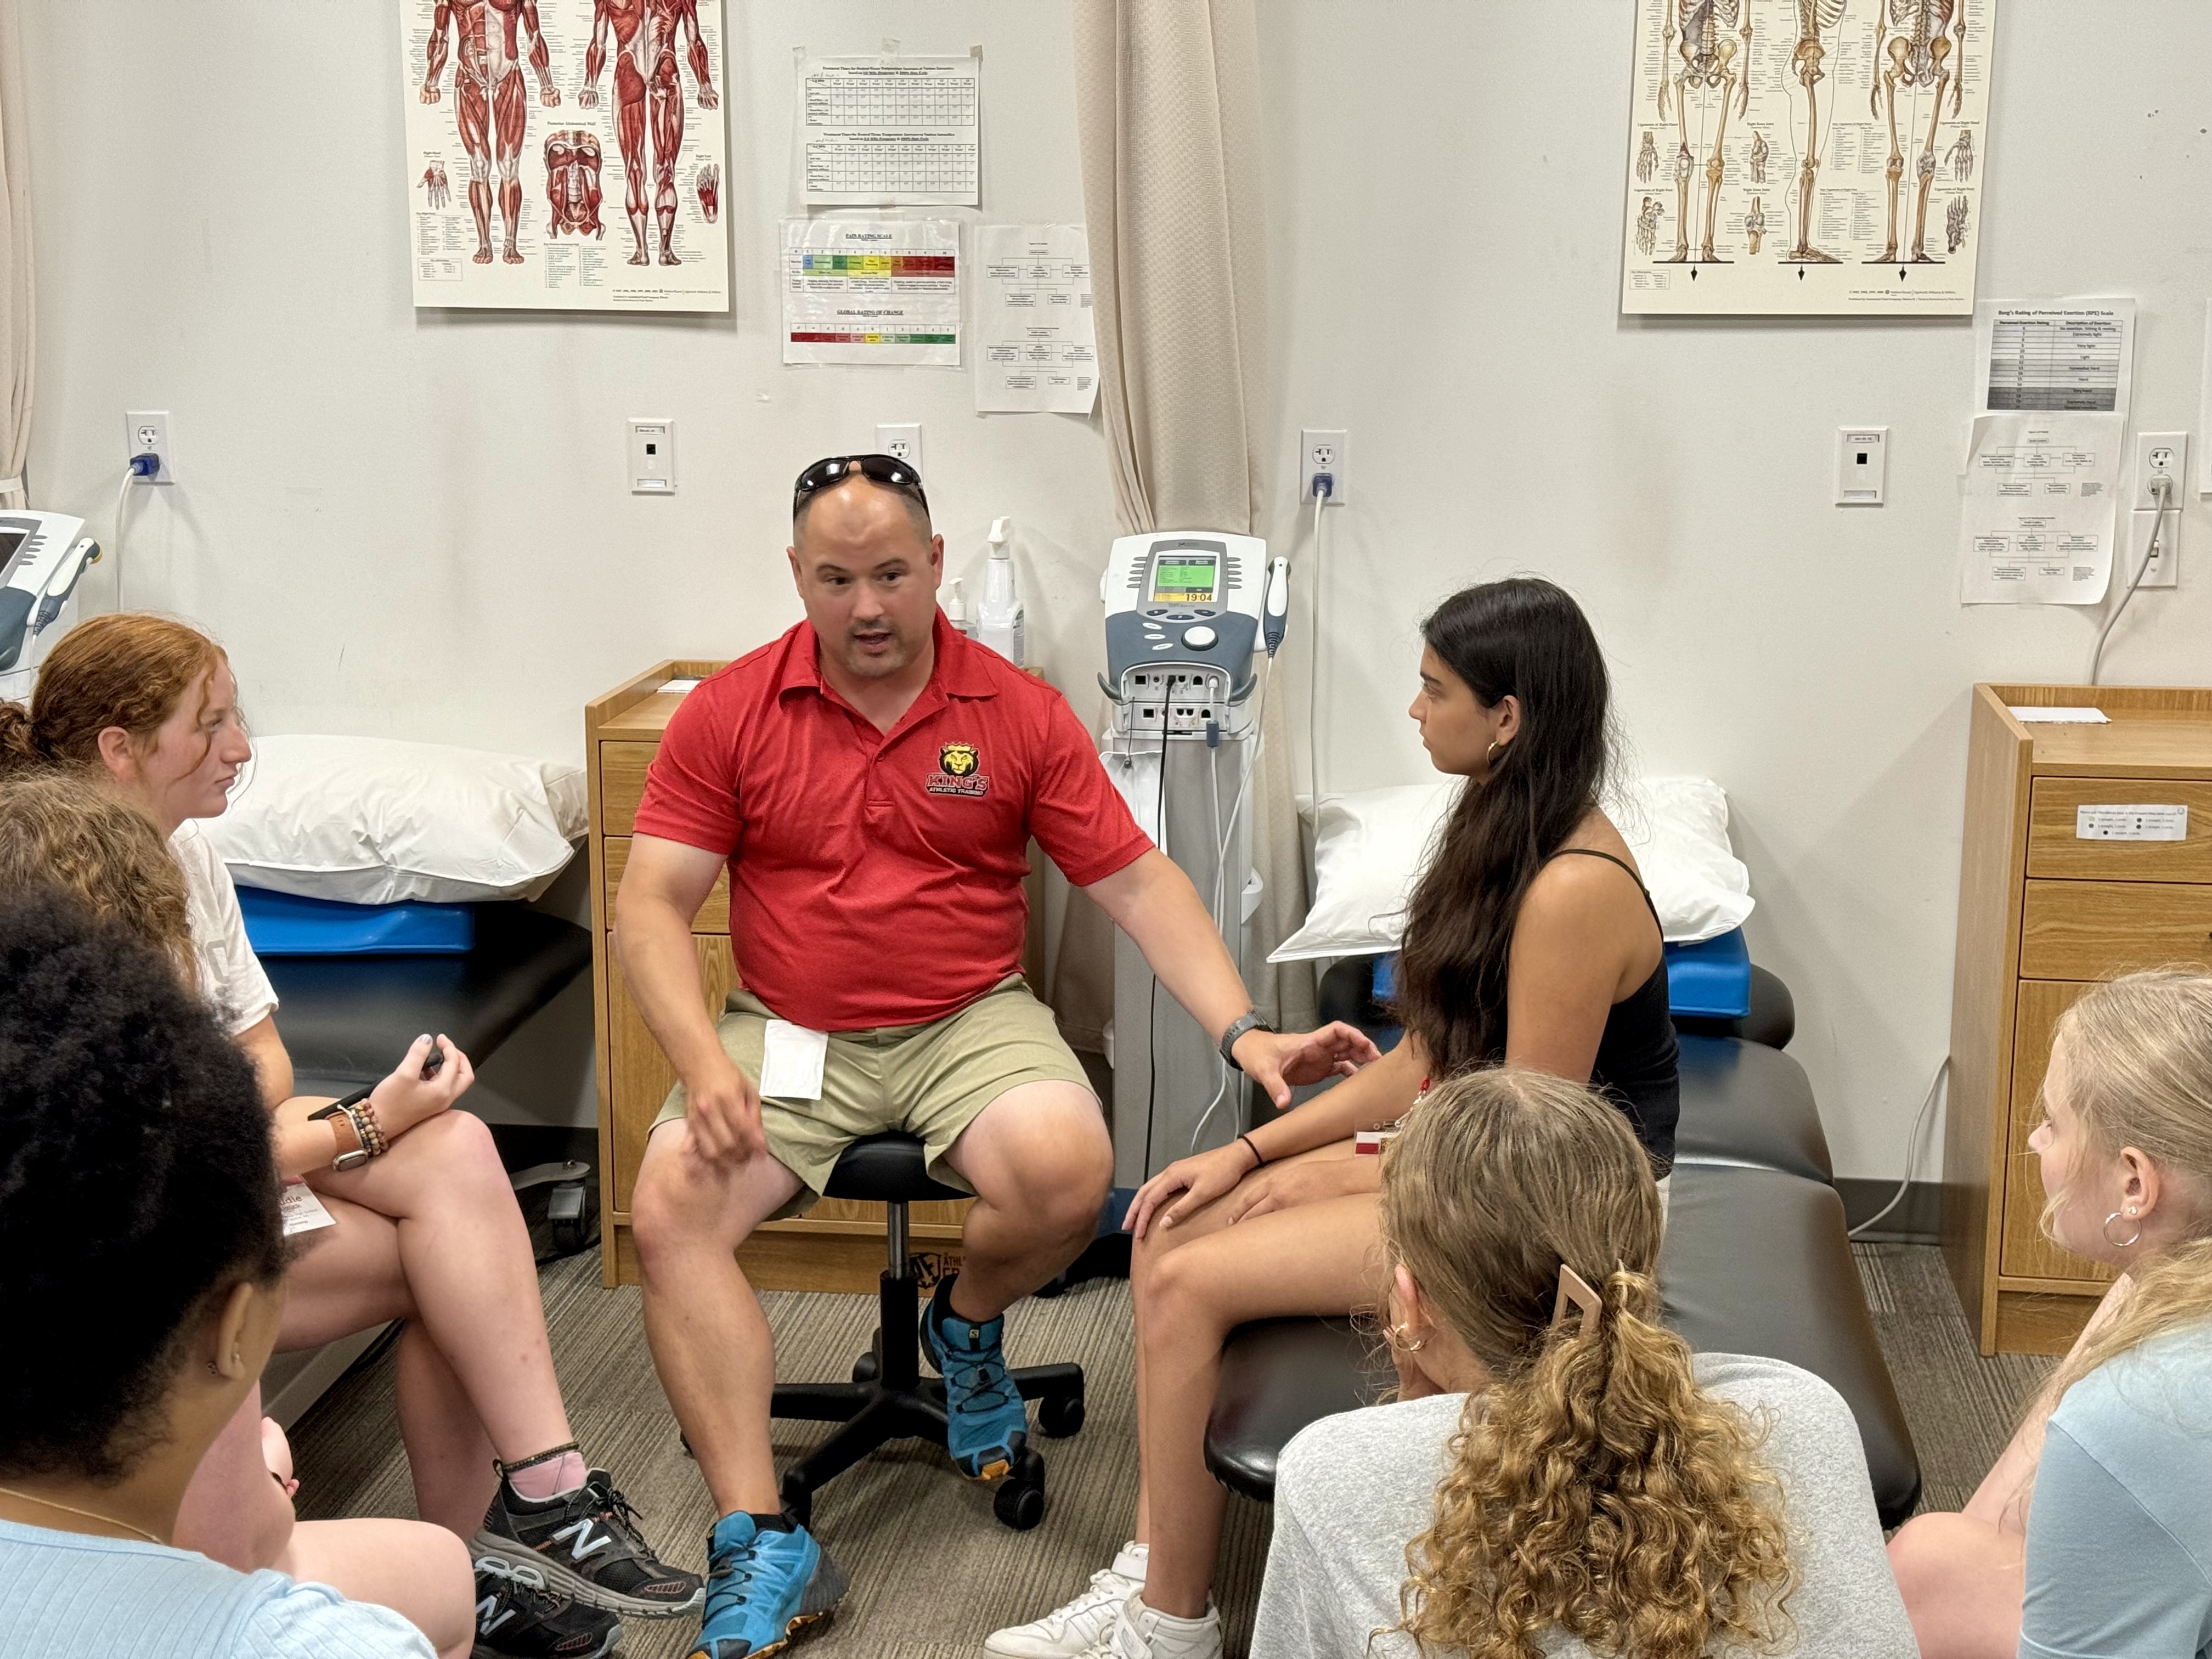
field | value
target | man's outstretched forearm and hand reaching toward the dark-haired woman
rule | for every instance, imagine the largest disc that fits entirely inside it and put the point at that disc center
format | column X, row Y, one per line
column 1162, row 912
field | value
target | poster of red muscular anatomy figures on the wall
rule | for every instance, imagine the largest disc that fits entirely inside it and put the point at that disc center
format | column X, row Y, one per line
column 565, row 154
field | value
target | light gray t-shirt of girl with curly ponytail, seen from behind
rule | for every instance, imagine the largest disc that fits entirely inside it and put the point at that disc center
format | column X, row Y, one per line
column 1355, row 1490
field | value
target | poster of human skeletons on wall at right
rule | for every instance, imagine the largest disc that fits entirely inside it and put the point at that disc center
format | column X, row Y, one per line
column 1806, row 158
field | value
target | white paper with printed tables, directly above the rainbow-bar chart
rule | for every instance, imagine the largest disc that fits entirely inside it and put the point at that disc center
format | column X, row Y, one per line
column 890, row 132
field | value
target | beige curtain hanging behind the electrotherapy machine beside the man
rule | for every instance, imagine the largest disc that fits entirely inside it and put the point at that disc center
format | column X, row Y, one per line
column 1169, row 105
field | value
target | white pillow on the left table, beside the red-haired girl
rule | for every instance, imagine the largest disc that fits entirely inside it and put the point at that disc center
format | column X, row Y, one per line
column 373, row 822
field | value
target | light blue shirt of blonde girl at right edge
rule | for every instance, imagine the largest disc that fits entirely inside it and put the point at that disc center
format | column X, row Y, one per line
column 2120, row 1534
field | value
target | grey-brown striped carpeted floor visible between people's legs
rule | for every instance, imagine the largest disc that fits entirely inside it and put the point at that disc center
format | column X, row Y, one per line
column 932, row 1569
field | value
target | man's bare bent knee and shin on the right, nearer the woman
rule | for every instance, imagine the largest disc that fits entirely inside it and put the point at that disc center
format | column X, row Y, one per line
column 1041, row 1165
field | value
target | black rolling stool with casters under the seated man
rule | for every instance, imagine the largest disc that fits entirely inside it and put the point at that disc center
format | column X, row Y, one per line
column 888, row 1397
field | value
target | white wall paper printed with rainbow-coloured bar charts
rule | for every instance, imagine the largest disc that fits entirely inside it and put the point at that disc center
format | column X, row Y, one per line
column 873, row 291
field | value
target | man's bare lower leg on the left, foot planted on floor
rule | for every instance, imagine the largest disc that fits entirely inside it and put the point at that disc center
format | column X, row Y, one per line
column 707, row 1331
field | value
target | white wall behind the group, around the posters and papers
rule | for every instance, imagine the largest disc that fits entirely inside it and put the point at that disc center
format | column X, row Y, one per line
column 415, row 523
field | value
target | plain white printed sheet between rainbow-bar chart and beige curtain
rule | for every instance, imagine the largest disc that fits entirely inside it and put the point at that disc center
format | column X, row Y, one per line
column 1036, row 344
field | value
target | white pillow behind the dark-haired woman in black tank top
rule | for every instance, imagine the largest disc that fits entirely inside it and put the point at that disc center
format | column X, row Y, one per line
column 1370, row 848
